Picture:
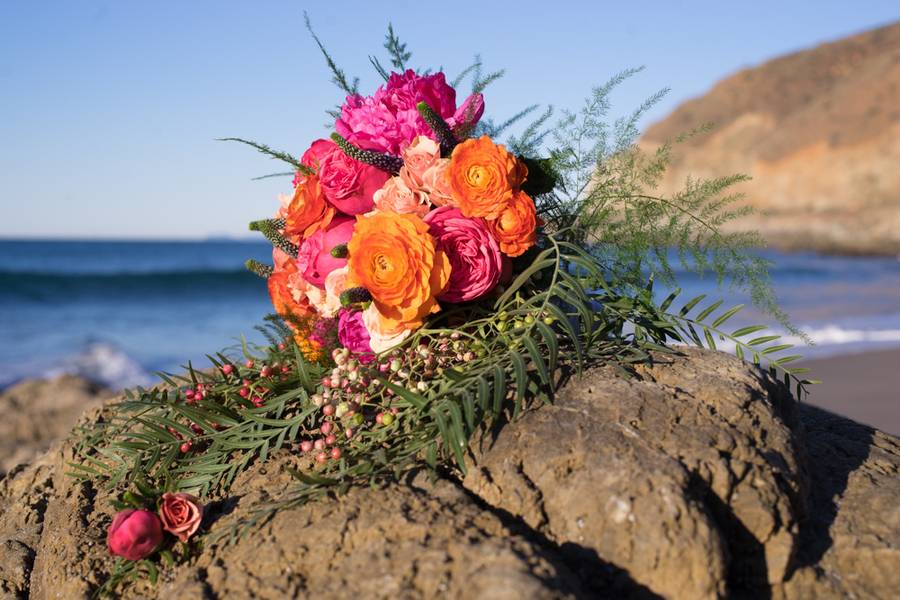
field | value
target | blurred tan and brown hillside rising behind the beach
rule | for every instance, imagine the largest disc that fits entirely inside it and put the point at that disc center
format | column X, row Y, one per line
column 819, row 132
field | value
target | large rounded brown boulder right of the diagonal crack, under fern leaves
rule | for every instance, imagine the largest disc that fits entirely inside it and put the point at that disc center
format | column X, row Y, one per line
column 686, row 478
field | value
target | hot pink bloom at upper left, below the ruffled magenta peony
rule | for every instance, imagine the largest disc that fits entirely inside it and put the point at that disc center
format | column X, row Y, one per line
column 347, row 183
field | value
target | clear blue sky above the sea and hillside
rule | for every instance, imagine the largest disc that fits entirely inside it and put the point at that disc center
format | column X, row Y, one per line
column 109, row 110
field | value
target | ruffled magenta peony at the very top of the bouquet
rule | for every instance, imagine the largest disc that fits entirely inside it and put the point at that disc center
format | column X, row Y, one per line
column 389, row 120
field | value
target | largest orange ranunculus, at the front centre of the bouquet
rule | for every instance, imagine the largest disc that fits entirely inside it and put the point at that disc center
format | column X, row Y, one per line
column 395, row 258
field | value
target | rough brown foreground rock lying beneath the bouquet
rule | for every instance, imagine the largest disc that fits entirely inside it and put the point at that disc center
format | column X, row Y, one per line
column 701, row 478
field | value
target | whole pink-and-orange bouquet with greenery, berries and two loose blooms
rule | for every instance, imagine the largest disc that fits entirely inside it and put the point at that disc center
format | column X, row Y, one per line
column 429, row 282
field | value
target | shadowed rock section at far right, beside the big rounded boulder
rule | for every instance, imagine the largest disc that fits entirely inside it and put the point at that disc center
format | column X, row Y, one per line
column 850, row 545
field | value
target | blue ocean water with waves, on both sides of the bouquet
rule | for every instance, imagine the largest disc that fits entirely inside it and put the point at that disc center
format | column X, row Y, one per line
column 118, row 311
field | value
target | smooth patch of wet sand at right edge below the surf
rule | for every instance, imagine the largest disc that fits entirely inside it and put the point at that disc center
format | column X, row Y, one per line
column 864, row 387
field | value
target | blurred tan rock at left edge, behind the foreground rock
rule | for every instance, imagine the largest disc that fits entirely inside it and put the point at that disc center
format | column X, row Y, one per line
column 36, row 412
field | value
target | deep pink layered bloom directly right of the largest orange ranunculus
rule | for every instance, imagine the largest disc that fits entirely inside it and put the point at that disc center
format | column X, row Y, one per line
column 475, row 259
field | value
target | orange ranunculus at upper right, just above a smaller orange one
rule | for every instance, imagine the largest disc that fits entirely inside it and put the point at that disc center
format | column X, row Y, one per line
column 483, row 177
